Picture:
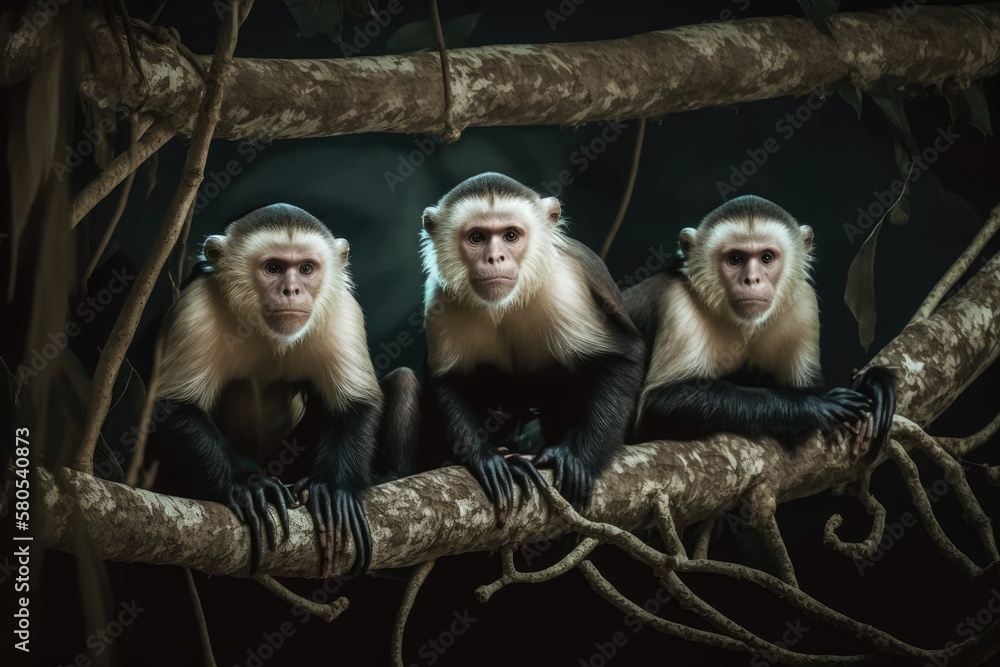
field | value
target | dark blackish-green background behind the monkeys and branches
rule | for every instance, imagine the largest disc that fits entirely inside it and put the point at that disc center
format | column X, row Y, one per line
column 831, row 166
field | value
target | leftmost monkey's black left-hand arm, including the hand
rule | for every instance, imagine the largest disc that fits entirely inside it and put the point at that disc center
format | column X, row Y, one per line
column 193, row 444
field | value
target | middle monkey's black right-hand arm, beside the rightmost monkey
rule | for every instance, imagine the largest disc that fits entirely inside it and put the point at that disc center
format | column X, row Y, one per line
column 613, row 384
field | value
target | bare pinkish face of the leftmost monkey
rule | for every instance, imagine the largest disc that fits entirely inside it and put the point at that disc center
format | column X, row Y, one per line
column 287, row 283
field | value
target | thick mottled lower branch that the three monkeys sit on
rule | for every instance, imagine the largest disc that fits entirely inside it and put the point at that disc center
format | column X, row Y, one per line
column 445, row 512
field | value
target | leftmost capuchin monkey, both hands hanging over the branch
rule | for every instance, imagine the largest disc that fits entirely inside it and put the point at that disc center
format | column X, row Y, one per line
column 267, row 325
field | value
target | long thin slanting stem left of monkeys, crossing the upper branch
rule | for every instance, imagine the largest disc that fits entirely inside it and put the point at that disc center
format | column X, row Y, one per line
column 191, row 178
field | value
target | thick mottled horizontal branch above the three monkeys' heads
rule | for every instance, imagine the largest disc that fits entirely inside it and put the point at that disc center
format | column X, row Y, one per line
column 645, row 76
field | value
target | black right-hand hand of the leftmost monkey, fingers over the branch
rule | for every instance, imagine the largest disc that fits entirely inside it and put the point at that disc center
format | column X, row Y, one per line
column 336, row 511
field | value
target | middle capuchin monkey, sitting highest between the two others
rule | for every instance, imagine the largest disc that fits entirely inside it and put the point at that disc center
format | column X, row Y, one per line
column 522, row 323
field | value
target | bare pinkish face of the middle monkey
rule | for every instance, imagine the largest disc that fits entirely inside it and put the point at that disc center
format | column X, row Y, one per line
column 492, row 247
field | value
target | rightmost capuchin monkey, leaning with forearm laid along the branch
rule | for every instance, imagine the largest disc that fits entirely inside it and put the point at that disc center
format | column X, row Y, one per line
column 733, row 333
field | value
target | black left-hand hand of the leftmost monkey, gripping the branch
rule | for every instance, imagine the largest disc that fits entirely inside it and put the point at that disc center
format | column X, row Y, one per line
column 247, row 496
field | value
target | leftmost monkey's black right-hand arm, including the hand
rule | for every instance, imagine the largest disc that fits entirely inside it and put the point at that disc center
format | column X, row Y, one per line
column 341, row 471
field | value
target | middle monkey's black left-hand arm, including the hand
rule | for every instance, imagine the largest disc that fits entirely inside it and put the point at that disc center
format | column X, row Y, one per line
column 497, row 474
